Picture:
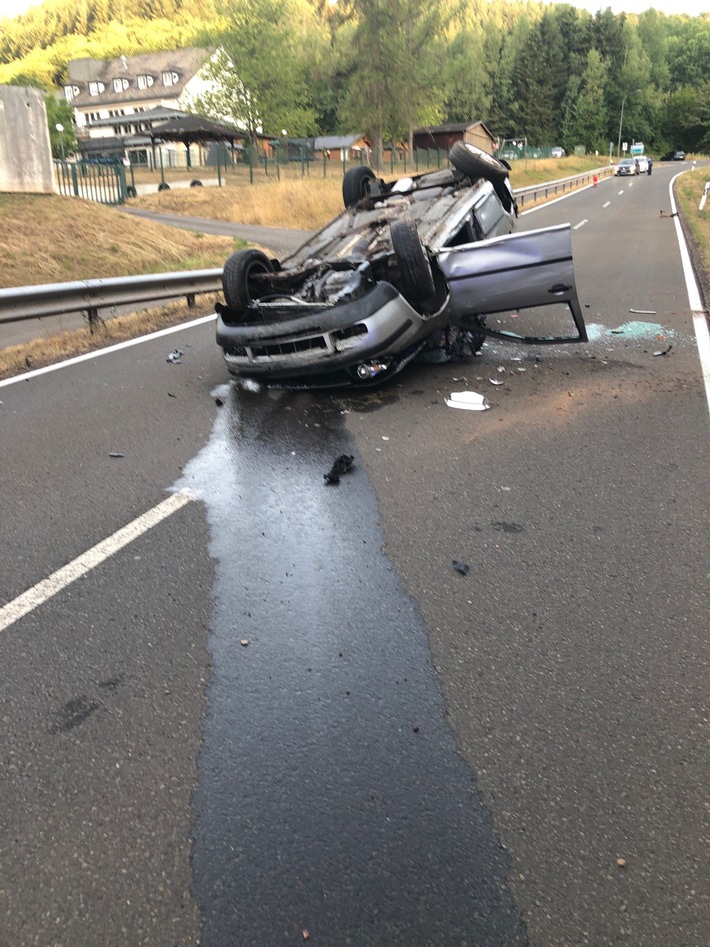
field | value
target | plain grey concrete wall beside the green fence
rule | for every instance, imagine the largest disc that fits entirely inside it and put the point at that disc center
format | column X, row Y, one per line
column 25, row 153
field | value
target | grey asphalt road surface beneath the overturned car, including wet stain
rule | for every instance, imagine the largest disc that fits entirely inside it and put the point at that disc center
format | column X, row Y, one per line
column 397, row 753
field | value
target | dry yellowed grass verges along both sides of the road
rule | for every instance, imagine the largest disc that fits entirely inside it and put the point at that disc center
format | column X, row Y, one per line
column 49, row 239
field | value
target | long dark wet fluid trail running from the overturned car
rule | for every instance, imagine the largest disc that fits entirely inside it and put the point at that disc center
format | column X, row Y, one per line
column 332, row 798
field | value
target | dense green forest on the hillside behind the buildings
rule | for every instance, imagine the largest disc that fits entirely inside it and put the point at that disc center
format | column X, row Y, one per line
column 547, row 72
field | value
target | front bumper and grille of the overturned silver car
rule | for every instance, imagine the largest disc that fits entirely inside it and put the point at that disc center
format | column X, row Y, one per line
column 331, row 342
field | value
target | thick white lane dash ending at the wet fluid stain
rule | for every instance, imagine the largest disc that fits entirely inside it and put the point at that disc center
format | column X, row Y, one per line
column 44, row 590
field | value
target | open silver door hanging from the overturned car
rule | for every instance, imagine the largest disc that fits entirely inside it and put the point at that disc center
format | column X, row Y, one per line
column 526, row 279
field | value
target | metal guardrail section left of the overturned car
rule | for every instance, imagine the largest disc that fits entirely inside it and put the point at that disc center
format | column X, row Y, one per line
column 89, row 296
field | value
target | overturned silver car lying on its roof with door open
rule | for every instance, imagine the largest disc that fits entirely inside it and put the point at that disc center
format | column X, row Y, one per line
column 406, row 264
